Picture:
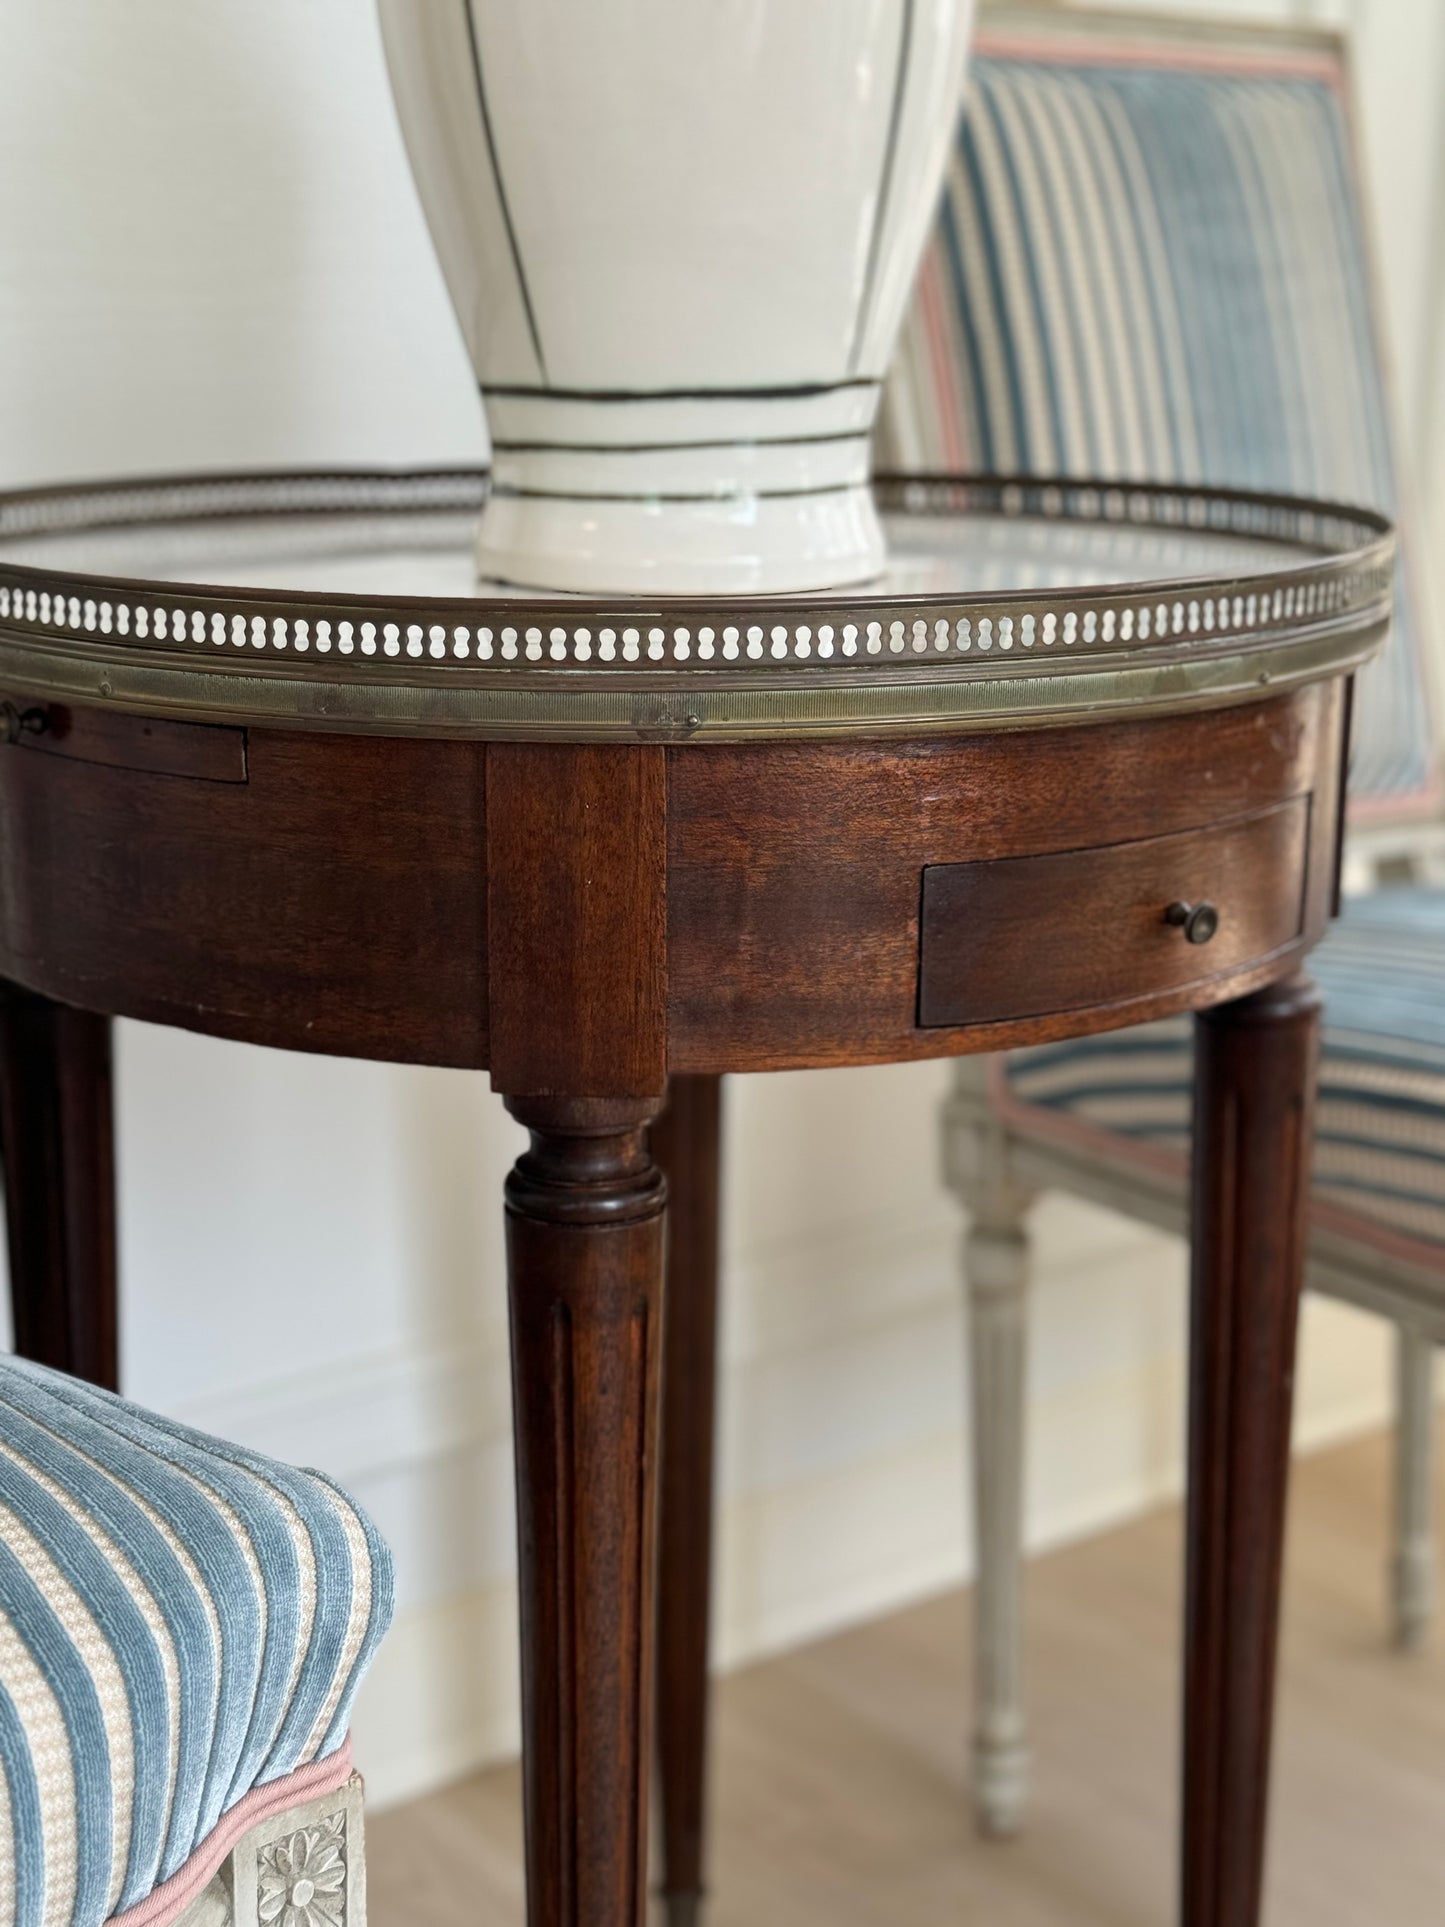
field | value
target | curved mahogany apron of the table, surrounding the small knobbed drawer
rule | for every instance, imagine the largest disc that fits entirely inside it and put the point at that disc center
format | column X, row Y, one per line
column 338, row 899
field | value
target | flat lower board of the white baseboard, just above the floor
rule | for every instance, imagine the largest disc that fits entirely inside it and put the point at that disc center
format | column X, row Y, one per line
column 793, row 1566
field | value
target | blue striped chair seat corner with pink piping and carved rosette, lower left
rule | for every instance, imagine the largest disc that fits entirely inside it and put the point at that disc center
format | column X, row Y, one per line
column 182, row 1631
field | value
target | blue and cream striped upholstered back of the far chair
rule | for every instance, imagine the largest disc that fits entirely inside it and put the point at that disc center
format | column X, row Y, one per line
column 1151, row 265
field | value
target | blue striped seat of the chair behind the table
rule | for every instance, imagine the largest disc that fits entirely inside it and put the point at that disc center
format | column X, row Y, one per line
column 1380, row 1124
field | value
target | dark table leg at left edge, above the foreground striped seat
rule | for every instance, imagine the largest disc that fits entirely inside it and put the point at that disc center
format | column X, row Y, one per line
column 61, row 1184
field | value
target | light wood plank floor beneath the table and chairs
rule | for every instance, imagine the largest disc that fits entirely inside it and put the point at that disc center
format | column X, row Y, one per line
column 841, row 1787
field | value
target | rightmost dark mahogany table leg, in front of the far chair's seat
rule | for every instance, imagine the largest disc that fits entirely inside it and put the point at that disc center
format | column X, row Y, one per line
column 1253, row 1134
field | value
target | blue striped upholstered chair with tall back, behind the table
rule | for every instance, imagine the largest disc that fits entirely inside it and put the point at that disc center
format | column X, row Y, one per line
column 1151, row 265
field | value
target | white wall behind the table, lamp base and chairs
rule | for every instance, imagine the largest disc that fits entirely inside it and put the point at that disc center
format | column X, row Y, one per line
column 211, row 255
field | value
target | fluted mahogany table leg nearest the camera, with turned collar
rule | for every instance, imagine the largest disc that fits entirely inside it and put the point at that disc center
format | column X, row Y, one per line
column 585, row 1248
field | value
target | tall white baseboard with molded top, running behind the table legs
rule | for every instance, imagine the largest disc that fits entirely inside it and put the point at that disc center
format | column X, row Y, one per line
column 843, row 1489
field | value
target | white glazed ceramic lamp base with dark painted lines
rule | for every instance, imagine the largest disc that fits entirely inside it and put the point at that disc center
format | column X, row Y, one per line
column 679, row 236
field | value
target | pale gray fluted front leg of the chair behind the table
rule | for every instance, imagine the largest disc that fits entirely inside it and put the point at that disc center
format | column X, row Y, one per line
column 997, row 1273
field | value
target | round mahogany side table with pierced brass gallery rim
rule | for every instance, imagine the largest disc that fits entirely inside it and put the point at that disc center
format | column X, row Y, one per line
column 280, row 774
